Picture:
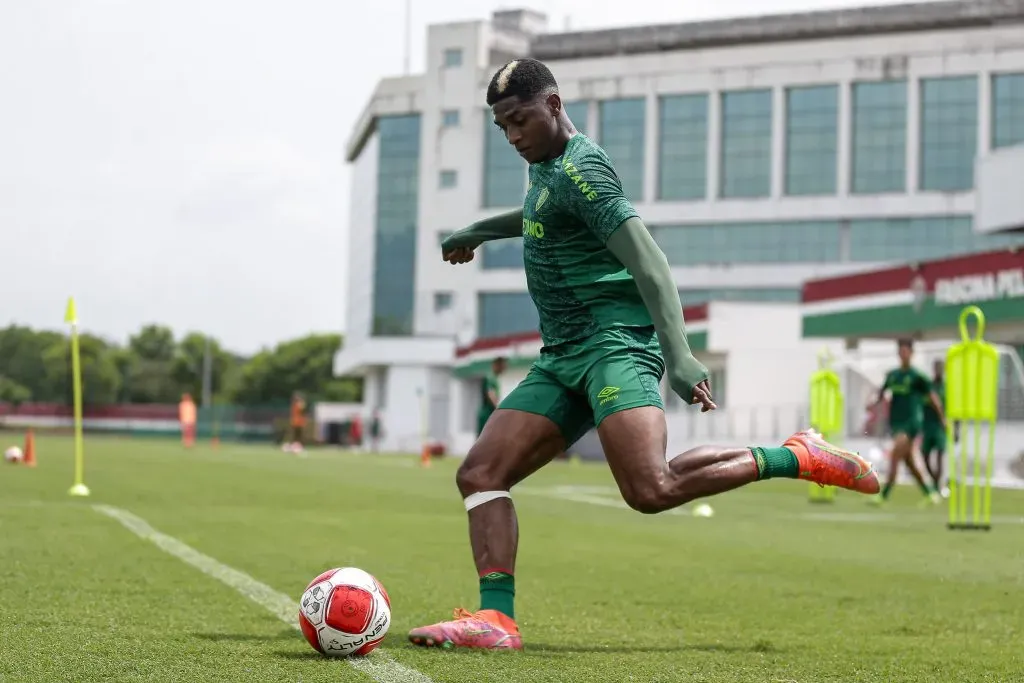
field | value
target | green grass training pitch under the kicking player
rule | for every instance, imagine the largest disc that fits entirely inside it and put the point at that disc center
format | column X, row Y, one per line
column 772, row 589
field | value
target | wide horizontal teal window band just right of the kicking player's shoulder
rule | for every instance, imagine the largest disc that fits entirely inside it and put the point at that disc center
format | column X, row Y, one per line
column 797, row 242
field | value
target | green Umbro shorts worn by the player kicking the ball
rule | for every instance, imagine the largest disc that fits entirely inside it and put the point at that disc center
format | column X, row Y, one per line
column 578, row 385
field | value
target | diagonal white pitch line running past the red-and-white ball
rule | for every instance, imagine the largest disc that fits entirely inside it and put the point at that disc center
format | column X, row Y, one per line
column 379, row 666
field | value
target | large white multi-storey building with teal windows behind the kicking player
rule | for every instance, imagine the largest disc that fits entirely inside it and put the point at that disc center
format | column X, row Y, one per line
column 761, row 153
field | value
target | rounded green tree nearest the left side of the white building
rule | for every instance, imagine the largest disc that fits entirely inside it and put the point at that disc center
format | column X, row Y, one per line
column 305, row 365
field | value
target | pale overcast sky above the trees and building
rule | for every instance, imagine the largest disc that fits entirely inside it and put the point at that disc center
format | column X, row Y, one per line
column 182, row 163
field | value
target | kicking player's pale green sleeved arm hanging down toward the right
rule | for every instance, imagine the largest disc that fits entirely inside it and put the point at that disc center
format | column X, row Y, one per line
column 633, row 245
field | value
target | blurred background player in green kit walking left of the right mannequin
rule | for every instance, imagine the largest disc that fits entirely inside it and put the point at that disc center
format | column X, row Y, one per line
column 909, row 389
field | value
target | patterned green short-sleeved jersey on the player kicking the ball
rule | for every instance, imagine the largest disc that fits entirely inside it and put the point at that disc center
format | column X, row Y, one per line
column 574, row 204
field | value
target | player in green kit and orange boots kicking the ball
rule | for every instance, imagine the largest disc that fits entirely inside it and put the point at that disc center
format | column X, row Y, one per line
column 612, row 326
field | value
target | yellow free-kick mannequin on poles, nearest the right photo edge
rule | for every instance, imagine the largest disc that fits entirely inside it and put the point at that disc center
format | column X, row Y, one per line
column 972, row 397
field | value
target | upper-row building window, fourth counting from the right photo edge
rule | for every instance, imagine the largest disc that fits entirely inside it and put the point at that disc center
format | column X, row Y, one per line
column 812, row 140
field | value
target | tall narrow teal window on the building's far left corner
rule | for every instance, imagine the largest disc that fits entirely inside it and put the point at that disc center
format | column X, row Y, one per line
column 395, row 255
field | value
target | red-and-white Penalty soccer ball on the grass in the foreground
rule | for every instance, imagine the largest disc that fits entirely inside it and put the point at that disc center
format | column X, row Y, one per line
column 345, row 613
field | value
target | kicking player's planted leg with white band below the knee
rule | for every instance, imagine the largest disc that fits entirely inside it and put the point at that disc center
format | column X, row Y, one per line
column 525, row 435
